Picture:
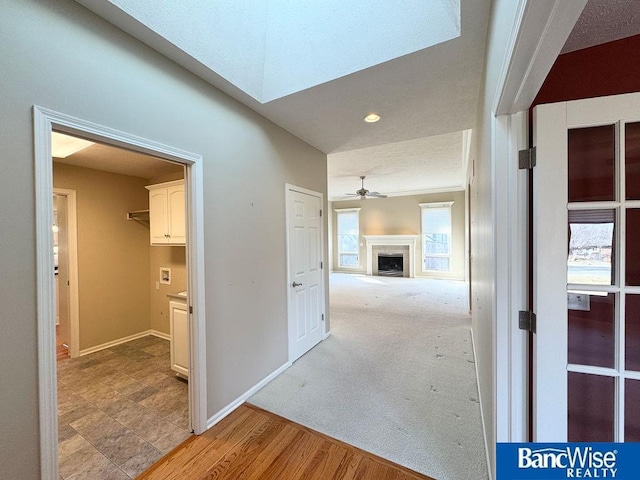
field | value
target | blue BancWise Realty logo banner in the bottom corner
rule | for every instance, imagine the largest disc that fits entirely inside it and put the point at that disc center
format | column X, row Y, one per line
column 550, row 461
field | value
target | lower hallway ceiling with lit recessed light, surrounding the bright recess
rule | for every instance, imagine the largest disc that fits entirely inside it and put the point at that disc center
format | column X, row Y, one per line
column 429, row 92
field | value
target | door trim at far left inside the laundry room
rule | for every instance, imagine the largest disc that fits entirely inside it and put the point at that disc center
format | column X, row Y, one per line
column 72, row 247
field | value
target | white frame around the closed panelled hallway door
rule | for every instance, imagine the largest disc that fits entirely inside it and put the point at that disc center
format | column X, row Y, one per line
column 290, row 318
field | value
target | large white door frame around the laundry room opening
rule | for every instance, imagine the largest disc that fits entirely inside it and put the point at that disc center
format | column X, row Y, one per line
column 45, row 121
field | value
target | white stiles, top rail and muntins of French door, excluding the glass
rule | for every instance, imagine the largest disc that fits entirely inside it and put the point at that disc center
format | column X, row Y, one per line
column 550, row 243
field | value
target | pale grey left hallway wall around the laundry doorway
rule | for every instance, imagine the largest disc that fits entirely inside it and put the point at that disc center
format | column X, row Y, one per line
column 60, row 56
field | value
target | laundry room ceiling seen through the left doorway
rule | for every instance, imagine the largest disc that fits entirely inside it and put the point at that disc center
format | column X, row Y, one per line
column 118, row 160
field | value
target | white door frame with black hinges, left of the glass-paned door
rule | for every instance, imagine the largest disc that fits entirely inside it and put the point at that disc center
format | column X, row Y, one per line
column 528, row 59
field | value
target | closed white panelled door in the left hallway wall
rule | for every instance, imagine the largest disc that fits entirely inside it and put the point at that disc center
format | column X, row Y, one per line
column 304, row 251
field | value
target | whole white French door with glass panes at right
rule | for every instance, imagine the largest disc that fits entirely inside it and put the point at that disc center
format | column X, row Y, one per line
column 586, row 236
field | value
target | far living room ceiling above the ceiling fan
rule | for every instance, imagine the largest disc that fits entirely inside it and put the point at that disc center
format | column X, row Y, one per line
column 404, row 168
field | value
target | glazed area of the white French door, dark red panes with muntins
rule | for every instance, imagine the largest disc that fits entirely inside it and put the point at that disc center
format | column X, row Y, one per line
column 603, row 283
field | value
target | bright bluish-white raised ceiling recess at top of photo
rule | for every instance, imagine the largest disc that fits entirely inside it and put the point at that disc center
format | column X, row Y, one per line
column 270, row 49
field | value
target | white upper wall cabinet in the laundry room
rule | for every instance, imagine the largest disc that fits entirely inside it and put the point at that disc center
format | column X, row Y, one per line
column 167, row 213
